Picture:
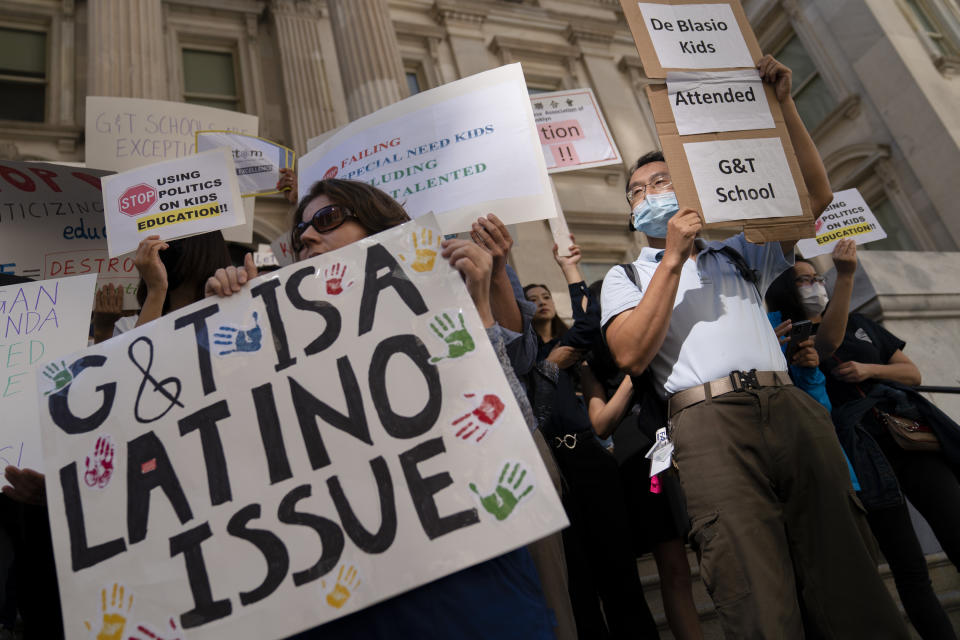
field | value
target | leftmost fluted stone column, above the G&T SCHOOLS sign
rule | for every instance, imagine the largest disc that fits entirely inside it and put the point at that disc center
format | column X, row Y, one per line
column 126, row 52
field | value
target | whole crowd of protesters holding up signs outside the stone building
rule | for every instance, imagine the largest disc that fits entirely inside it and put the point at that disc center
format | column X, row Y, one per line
column 791, row 462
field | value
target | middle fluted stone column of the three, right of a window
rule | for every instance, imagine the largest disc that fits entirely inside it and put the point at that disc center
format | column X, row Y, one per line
column 306, row 82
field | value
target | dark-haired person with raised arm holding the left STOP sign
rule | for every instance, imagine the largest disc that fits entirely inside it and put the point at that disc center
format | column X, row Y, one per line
column 173, row 273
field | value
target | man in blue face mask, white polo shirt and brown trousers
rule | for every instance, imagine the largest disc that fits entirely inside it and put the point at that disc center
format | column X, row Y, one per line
column 771, row 506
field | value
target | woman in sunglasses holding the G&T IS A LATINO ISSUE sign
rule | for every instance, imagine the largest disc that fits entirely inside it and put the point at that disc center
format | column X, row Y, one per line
column 501, row 597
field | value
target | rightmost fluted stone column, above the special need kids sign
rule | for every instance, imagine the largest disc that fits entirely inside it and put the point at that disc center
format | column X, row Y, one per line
column 368, row 53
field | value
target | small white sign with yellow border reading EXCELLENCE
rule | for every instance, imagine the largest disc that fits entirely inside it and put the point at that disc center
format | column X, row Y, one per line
column 258, row 160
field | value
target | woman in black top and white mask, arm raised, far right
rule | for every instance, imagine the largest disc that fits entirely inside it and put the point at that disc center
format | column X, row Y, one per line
column 799, row 294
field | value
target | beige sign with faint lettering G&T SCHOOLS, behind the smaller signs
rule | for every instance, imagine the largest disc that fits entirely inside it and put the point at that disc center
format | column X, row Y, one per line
column 126, row 133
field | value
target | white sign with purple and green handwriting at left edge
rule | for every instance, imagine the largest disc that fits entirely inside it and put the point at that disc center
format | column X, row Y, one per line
column 39, row 323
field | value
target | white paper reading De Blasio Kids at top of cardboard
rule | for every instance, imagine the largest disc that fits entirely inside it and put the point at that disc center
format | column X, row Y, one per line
column 695, row 36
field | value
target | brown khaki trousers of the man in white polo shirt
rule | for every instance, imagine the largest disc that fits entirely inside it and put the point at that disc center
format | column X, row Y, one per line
column 772, row 510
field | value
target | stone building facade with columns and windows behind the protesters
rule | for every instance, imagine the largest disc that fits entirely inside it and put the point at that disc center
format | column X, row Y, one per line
column 875, row 80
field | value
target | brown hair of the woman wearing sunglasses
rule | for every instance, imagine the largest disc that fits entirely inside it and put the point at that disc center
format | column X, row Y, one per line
column 375, row 210
